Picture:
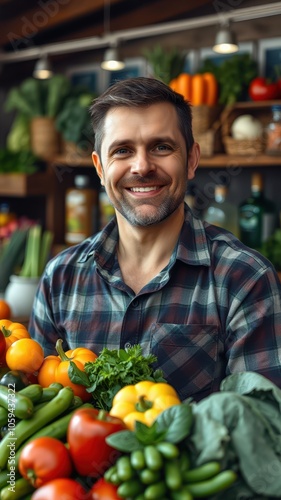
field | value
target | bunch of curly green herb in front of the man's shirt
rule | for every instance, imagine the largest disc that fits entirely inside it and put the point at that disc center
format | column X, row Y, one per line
column 114, row 369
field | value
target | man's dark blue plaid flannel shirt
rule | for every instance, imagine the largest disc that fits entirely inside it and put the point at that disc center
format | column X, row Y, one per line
column 215, row 309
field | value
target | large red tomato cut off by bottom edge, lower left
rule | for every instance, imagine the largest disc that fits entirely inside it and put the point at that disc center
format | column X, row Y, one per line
column 64, row 489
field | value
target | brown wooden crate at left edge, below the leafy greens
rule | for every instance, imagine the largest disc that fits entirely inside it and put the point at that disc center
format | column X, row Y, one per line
column 37, row 184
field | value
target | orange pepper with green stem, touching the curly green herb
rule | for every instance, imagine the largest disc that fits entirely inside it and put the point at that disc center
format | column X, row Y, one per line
column 55, row 368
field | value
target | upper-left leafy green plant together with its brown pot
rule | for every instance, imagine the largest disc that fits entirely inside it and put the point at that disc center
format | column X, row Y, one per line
column 44, row 108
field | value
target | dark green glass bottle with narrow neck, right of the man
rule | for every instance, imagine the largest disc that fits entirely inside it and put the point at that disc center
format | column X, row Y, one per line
column 257, row 215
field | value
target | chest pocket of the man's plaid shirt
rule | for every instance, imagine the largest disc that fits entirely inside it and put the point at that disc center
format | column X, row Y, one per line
column 188, row 355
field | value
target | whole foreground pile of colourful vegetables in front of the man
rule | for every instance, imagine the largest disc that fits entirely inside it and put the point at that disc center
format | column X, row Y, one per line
column 122, row 431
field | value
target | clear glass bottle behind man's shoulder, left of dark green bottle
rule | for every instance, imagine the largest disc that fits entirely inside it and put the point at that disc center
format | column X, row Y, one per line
column 221, row 212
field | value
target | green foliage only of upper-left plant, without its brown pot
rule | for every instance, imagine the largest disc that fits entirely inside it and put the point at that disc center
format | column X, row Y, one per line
column 56, row 98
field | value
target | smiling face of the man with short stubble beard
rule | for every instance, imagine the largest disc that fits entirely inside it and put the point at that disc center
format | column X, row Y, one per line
column 144, row 162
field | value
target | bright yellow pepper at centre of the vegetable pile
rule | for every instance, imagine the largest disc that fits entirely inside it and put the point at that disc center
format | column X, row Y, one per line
column 143, row 402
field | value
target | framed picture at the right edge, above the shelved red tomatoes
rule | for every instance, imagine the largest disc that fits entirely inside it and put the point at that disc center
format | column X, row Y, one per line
column 270, row 57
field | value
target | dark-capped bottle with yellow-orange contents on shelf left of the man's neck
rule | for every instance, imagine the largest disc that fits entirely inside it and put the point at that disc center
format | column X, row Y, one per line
column 81, row 210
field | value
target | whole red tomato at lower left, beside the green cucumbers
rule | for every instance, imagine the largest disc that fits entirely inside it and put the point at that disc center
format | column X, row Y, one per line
column 44, row 459
